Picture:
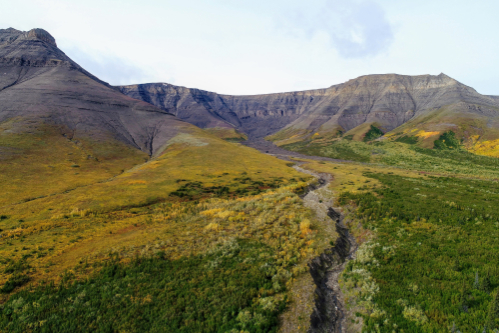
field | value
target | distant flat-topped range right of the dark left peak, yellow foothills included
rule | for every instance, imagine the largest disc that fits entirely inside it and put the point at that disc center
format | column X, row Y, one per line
column 386, row 101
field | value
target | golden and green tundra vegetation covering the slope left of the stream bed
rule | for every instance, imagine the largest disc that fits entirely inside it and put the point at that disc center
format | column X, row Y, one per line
column 208, row 236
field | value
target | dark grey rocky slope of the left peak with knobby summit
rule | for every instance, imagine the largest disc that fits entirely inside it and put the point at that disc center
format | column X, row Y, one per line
column 39, row 83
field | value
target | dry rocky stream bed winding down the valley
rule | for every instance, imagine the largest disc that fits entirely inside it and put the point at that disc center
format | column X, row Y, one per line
column 329, row 314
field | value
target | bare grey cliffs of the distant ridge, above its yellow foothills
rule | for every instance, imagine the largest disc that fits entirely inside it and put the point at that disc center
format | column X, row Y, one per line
column 386, row 100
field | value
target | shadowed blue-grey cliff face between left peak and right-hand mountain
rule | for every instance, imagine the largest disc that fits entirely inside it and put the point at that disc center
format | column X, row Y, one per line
column 257, row 116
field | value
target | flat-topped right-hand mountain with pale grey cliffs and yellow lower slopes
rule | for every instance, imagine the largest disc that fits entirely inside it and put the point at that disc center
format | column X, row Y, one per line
column 419, row 107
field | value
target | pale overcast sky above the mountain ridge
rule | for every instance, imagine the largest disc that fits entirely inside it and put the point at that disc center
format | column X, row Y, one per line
column 265, row 46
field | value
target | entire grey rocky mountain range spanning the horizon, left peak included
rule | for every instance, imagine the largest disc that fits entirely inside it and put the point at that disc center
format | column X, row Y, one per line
column 38, row 81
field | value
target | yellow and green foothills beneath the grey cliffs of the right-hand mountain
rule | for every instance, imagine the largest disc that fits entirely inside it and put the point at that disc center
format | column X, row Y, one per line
column 475, row 127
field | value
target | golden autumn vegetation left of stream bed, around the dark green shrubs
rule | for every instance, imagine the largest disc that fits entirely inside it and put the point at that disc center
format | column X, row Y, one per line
column 191, row 201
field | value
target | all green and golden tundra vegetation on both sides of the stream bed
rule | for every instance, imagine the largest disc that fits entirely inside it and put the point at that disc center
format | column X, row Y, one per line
column 191, row 241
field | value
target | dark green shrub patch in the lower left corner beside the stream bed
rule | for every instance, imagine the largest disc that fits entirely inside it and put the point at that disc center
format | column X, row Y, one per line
column 213, row 293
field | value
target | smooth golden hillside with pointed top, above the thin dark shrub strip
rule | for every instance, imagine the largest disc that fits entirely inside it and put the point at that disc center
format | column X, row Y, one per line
column 193, row 156
